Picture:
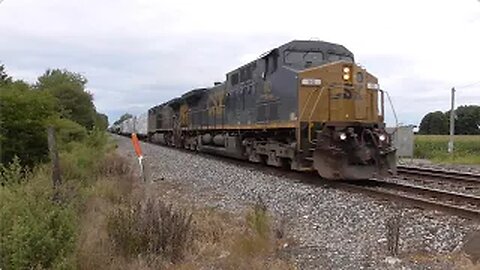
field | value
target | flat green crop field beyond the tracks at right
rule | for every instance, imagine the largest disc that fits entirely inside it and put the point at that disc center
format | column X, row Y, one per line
column 434, row 147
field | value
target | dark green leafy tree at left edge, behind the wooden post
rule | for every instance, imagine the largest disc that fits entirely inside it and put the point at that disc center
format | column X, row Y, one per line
column 25, row 114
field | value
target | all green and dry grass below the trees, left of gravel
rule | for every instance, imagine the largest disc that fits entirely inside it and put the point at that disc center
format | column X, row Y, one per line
column 108, row 219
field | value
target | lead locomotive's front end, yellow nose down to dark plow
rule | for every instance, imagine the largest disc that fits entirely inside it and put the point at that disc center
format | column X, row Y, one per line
column 342, row 118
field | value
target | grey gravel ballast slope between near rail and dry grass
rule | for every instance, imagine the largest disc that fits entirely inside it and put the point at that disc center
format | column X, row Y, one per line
column 330, row 228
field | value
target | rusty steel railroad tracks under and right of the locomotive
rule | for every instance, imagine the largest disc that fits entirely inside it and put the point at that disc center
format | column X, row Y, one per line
column 457, row 203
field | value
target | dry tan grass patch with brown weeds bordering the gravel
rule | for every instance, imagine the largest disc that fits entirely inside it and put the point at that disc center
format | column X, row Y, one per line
column 127, row 226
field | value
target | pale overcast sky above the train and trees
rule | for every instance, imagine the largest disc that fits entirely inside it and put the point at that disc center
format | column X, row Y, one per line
column 138, row 53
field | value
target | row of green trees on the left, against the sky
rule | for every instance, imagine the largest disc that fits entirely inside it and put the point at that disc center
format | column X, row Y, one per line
column 58, row 98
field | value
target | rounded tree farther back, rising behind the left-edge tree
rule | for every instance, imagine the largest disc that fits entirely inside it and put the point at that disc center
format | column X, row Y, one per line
column 69, row 89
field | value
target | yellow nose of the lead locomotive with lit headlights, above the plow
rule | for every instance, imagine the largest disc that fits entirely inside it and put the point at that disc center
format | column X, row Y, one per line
column 337, row 93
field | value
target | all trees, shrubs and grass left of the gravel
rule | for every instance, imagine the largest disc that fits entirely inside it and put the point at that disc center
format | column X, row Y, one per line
column 101, row 216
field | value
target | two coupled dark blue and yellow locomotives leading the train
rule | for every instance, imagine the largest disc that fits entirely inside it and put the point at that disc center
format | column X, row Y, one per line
column 305, row 105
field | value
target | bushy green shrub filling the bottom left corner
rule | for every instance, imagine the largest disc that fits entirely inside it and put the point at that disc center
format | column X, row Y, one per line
column 34, row 231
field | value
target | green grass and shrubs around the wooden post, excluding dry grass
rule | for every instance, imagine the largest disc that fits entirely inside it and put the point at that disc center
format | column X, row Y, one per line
column 36, row 231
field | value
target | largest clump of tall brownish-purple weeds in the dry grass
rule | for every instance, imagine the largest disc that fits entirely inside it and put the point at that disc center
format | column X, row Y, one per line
column 151, row 228
